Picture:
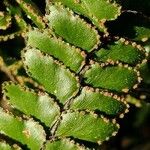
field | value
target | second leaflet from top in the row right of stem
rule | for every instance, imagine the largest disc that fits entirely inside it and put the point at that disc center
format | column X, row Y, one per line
column 117, row 78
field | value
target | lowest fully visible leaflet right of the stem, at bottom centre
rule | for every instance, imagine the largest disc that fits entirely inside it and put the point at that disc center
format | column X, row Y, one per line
column 87, row 127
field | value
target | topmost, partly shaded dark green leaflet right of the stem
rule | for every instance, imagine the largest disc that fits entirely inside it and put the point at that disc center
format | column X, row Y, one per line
column 123, row 51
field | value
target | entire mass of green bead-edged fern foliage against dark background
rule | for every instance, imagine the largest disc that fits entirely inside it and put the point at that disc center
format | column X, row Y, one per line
column 74, row 79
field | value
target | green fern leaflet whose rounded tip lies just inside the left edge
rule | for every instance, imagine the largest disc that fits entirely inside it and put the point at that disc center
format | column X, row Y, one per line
column 24, row 99
